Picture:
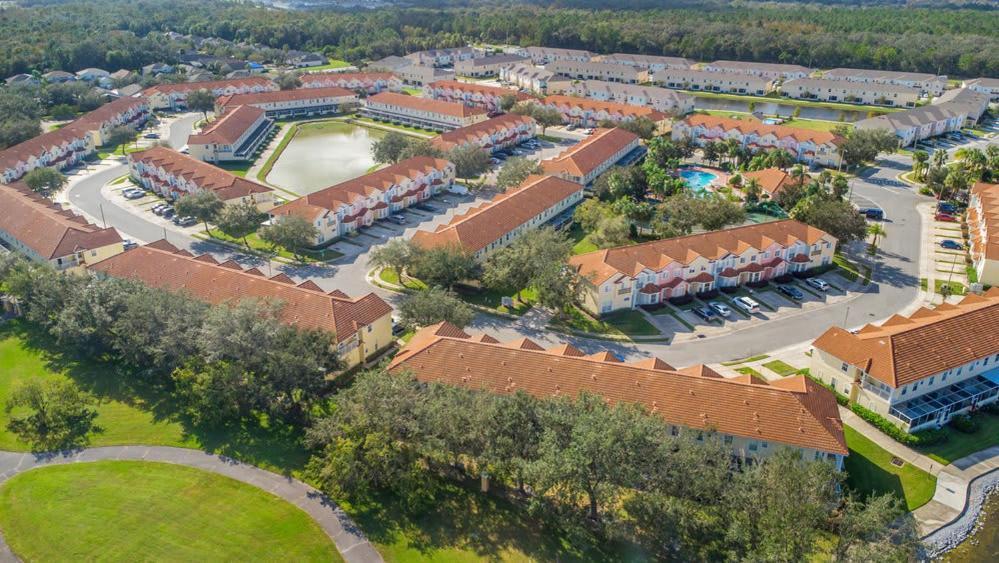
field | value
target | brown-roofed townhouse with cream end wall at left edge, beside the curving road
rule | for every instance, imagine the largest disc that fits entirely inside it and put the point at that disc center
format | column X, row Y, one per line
column 45, row 232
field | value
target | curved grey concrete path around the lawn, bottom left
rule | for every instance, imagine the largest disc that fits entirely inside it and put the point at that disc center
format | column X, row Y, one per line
column 349, row 540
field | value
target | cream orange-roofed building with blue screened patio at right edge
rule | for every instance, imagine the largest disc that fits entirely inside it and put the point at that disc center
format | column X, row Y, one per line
column 920, row 370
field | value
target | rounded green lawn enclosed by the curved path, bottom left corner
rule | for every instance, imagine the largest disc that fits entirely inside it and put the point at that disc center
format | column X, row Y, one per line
column 133, row 510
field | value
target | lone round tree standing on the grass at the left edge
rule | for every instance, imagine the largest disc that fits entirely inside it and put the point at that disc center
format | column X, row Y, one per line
column 51, row 414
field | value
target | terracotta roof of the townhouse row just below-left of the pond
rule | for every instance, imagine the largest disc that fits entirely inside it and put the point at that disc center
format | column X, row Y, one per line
column 207, row 177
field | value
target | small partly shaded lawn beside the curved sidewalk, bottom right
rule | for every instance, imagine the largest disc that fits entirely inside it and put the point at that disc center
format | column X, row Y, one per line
column 870, row 471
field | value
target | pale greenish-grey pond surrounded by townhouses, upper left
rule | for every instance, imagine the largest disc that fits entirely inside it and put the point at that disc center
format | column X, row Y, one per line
column 324, row 154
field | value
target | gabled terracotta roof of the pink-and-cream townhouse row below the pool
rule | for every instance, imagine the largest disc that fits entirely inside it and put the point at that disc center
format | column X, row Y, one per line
column 601, row 265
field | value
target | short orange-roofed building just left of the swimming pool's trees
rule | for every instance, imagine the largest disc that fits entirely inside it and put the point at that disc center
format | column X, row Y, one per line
column 583, row 162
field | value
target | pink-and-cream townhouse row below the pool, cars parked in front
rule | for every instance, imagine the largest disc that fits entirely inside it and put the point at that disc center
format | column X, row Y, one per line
column 625, row 277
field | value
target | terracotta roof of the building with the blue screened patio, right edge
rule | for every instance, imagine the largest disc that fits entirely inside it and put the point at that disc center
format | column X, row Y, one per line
column 904, row 350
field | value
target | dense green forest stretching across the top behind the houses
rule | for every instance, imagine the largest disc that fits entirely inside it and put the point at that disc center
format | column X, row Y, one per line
column 116, row 33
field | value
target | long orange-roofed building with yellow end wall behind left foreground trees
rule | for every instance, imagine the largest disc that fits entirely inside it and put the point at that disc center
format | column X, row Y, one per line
column 360, row 327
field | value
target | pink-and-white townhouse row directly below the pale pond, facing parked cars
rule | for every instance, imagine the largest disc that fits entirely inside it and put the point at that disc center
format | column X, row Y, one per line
column 345, row 207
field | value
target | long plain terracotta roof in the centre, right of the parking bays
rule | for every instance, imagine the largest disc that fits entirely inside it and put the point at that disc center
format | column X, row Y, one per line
column 478, row 227
